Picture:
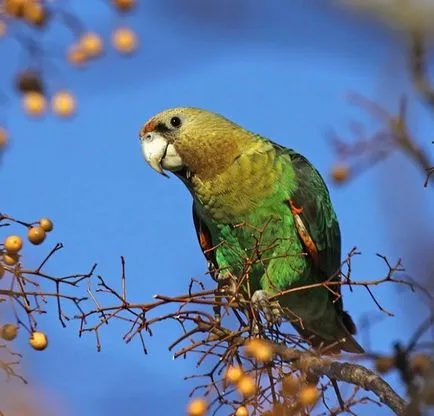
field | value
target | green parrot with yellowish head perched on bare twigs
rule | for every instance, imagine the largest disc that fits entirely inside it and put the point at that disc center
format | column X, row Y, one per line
column 253, row 198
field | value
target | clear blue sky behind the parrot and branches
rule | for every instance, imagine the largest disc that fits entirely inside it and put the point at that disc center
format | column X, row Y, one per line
column 280, row 70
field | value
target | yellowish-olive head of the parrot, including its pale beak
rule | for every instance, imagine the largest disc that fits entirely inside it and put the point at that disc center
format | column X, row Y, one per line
column 190, row 141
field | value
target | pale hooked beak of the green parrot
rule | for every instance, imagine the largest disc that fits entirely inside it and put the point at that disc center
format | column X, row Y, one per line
column 159, row 153
